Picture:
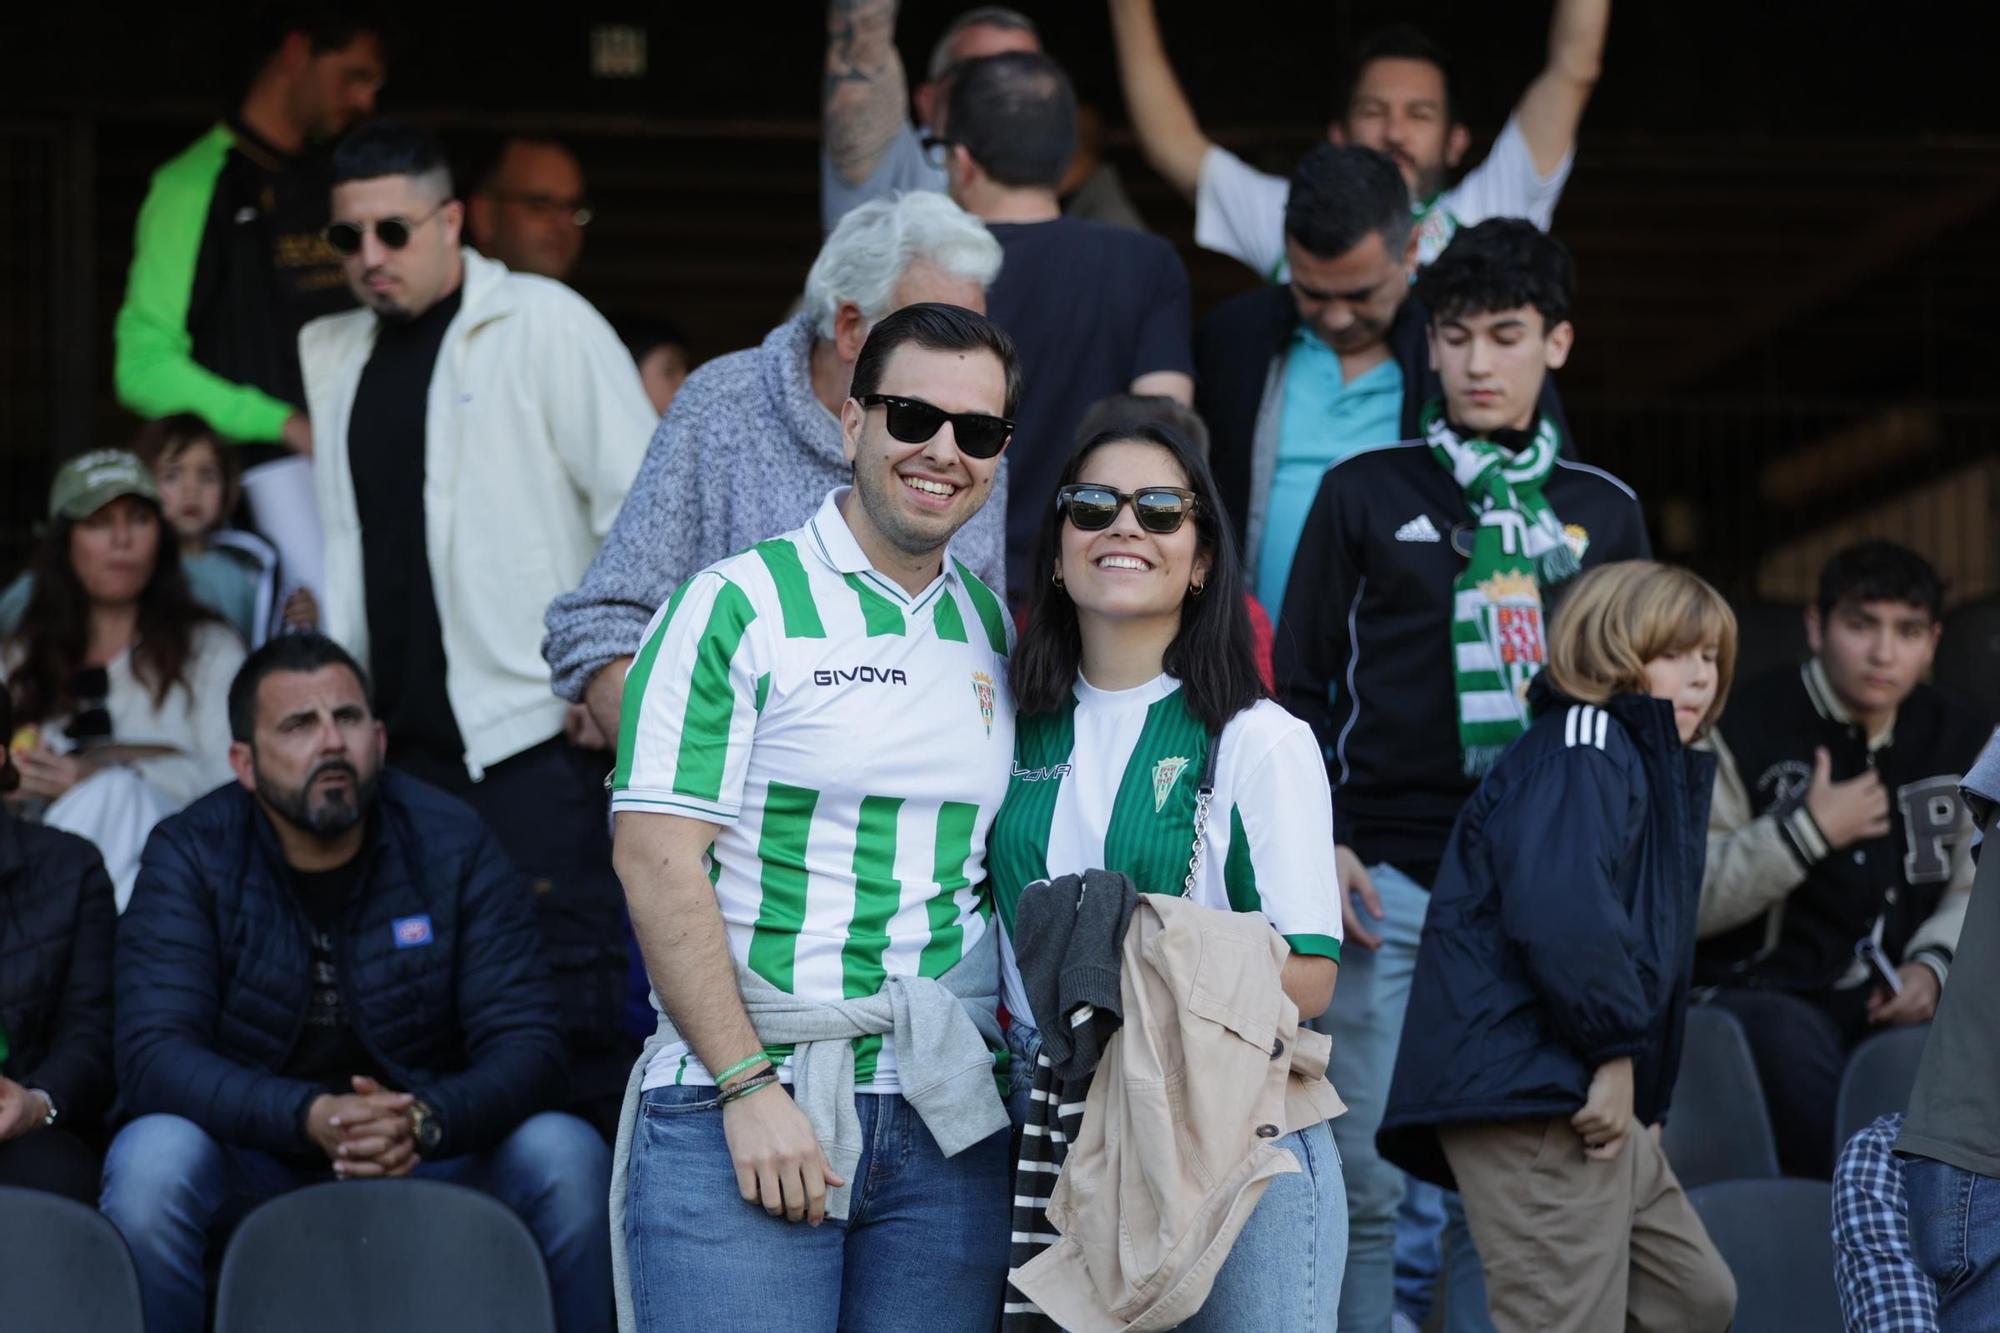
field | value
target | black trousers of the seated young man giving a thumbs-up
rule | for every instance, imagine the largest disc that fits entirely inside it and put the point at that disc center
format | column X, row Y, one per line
column 1801, row 1046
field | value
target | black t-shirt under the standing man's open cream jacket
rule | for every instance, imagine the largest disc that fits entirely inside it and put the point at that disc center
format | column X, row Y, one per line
column 387, row 455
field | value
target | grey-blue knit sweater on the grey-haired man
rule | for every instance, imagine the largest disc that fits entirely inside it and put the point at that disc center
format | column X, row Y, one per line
column 747, row 451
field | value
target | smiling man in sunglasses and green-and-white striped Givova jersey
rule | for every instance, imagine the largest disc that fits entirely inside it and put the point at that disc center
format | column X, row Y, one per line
column 817, row 736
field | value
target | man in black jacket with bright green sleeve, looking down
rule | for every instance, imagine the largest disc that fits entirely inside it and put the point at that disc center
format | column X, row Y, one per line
column 229, row 263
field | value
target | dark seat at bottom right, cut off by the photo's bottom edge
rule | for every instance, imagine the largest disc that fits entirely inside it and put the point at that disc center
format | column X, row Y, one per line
column 1777, row 1238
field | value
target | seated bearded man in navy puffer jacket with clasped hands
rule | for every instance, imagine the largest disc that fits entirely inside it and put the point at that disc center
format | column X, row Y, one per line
column 331, row 972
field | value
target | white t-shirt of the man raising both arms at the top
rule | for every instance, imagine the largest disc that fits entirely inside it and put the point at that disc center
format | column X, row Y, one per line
column 1239, row 211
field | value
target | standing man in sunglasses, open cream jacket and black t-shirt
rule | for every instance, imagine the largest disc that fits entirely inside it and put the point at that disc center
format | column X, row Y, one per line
column 477, row 435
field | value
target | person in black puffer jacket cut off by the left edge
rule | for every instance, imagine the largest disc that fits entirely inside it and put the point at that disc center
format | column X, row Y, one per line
column 57, row 926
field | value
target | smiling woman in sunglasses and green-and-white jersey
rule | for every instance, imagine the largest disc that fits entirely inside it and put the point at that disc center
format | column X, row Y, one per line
column 1135, row 661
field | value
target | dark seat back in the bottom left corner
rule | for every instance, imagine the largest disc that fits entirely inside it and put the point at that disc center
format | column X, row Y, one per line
column 63, row 1266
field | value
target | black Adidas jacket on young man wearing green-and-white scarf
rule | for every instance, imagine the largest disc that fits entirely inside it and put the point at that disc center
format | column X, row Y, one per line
column 1365, row 643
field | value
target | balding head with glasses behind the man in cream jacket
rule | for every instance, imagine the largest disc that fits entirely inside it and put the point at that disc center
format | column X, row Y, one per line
column 531, row 209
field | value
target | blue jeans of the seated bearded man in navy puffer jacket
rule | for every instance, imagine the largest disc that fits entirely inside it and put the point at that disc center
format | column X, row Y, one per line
column 173, row 1192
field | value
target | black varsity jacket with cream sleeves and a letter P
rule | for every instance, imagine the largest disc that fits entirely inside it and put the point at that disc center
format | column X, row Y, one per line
column 1779, row 906
